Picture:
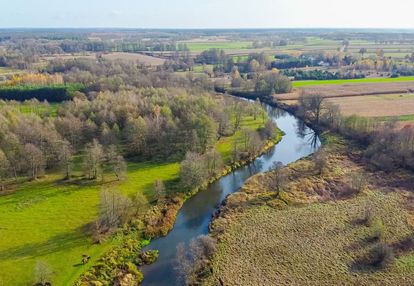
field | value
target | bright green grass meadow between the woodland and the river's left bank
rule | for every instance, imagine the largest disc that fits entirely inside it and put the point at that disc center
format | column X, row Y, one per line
column 48, row 220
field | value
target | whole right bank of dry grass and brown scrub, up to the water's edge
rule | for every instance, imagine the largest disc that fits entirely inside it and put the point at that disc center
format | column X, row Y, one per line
column 314, row 231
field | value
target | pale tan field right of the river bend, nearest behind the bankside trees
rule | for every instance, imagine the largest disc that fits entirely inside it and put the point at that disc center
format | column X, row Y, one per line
column 377, row 105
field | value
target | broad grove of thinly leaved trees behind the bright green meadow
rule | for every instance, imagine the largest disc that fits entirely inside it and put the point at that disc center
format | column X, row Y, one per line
column 145, row 124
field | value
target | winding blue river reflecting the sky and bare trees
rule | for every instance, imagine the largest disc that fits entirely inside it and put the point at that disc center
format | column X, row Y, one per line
column 194, row 217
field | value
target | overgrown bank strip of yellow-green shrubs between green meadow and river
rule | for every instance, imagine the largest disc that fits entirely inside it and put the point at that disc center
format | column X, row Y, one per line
column 120, row 263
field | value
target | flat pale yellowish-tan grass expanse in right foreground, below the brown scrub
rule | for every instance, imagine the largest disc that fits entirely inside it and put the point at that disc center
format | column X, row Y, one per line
column 313, row 245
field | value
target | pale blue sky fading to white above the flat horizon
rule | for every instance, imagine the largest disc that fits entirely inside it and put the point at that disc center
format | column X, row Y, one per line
column 207, row 13
